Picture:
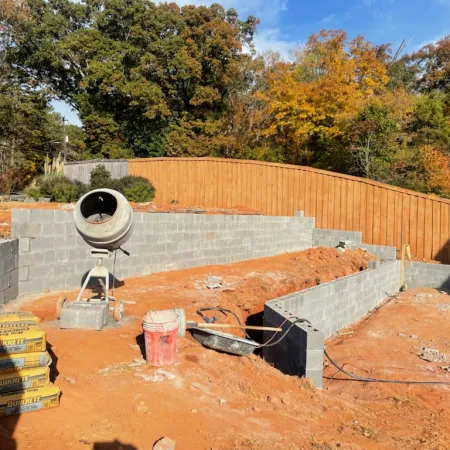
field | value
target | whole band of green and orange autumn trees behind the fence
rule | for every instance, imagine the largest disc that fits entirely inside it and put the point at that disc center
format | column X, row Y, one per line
column 156, row 79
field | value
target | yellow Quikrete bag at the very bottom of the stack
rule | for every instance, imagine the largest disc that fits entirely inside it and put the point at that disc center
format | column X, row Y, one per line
column 29, row 400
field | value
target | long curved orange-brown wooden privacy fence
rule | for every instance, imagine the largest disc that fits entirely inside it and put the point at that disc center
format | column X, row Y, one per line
column 386, row 215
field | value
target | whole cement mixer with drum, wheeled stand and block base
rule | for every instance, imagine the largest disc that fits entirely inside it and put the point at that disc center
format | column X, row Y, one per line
column 104, row 219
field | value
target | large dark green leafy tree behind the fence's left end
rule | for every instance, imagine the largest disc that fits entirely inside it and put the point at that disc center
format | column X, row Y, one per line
column 142, row 76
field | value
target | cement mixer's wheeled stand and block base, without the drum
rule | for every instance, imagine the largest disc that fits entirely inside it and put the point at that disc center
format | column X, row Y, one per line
column 91, row 313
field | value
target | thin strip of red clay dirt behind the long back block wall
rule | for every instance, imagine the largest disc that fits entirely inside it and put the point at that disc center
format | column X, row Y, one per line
column 6, row 207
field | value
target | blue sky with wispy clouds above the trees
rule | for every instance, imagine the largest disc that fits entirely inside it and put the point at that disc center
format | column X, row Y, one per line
column 286, row 24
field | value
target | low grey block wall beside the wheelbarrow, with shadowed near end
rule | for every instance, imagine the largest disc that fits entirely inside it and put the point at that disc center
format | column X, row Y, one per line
column 329, row 307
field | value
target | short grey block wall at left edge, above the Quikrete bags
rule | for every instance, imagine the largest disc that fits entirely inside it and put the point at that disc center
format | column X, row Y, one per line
column 9, row 270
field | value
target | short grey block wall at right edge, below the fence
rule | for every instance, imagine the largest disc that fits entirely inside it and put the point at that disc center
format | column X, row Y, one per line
column 419, row 274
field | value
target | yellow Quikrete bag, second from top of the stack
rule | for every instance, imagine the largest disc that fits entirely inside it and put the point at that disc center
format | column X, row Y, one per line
column 22, row 339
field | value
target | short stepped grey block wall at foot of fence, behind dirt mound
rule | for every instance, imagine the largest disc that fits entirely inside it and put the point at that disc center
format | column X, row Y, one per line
column 331, row 238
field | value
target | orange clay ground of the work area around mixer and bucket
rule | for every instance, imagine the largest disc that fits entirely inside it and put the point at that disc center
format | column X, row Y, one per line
column 216, row 401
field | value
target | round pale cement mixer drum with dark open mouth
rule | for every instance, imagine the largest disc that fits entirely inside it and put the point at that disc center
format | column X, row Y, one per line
column 104, row 219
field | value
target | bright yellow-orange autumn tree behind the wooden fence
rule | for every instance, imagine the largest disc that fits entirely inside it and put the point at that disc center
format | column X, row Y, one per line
column 328, row 83
